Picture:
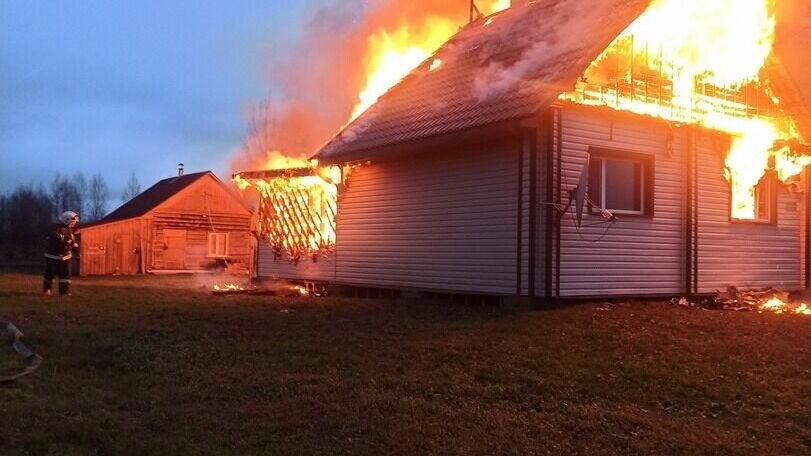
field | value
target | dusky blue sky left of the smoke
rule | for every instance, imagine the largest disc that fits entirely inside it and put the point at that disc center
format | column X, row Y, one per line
column 121, row 86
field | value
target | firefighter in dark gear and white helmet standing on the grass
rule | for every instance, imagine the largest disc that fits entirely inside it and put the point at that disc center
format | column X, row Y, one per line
column 59, row 251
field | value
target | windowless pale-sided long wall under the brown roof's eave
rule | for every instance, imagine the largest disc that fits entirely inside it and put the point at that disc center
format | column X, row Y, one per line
column 448, row 221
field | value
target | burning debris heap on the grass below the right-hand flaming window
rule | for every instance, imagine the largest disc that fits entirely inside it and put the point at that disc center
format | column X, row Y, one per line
column 760, row 300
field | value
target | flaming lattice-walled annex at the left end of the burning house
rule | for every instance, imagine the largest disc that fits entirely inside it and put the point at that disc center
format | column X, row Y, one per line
column 297, row 208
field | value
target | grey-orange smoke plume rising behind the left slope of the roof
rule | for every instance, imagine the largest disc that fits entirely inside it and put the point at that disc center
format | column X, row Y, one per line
column 319, row 85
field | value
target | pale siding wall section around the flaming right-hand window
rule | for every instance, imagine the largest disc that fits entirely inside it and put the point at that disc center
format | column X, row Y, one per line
column 746, row 255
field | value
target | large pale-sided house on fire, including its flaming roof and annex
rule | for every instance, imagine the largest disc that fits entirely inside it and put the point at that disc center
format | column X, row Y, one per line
column 566, row 149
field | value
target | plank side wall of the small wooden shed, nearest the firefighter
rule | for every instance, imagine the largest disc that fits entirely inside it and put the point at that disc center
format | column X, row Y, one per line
column 113, row 248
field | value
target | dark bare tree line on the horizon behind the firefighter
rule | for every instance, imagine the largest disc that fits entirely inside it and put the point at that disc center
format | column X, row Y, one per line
column 28, row 212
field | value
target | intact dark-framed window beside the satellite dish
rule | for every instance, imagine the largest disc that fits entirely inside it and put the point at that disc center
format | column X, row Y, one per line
column 621, row 182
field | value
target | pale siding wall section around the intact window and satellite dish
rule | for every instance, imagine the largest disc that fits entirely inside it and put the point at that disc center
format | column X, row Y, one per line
column 638, row 255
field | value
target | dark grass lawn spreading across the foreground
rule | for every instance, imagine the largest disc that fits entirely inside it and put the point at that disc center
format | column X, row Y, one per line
column 158, row 366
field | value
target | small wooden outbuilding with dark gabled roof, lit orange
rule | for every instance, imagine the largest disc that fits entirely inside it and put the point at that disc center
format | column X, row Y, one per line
column 187, row 223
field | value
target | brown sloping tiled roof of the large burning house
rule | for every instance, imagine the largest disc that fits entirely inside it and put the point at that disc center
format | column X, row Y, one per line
column 497, row 69
